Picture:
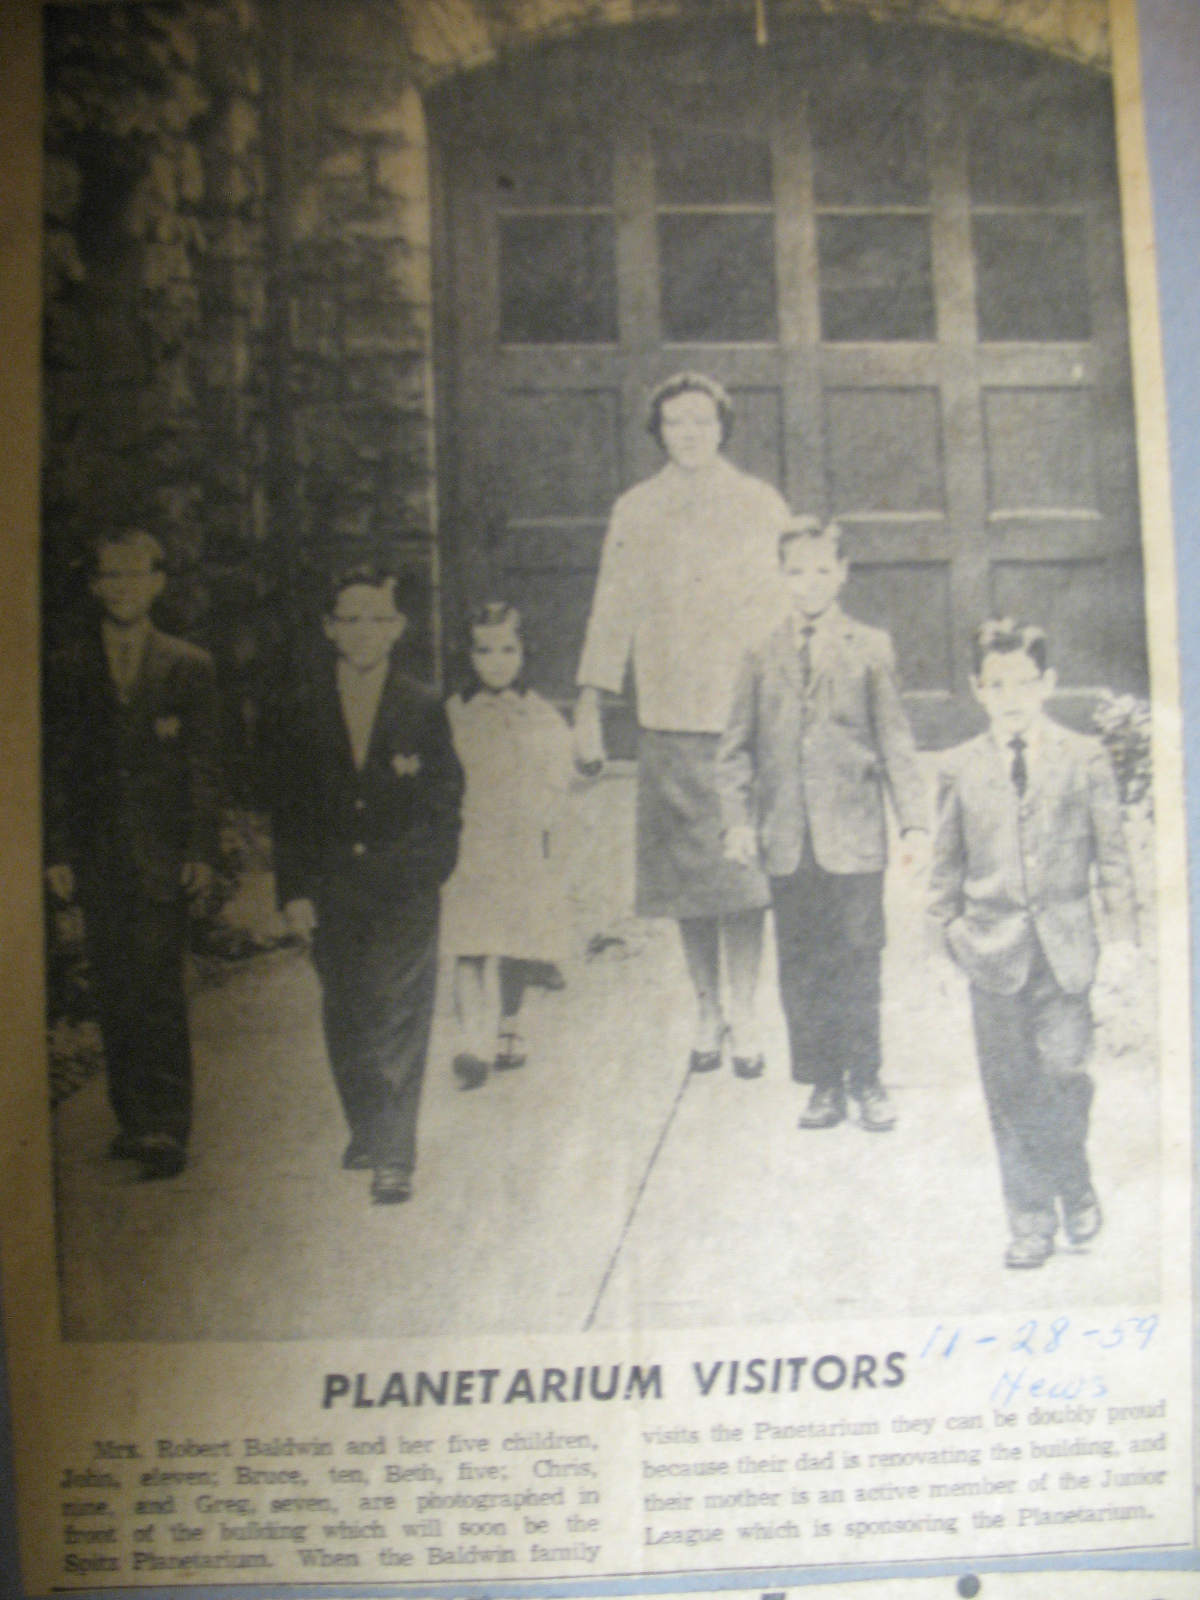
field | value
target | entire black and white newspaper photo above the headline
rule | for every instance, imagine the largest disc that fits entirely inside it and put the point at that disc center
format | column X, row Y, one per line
column 596, row 703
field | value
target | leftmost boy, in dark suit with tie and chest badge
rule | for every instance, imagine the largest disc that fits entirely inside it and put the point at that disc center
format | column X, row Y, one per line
column 132, row 828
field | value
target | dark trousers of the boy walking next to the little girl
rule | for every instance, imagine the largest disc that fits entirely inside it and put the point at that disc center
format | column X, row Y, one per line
column 378, row 969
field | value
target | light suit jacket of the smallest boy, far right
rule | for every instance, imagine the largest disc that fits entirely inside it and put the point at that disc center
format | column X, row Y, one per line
column 1009, row 874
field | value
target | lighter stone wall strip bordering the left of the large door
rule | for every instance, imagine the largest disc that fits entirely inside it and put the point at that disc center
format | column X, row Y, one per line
column 359, row 300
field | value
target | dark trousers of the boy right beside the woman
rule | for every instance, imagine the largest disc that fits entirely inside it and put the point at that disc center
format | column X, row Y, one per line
column 830, row 940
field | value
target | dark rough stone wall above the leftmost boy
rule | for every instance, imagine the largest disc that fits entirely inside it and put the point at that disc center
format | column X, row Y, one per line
column 156, row 319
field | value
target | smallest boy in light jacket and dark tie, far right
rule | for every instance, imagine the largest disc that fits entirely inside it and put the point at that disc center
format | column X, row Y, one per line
column 1025, row 814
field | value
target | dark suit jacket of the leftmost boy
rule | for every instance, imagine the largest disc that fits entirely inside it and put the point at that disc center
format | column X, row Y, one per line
column 132, row 791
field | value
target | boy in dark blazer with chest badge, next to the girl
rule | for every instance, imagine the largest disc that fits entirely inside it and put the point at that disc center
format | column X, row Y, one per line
column 367, row 823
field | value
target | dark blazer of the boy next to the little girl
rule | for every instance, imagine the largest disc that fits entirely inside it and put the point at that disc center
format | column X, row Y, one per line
column 390, row 831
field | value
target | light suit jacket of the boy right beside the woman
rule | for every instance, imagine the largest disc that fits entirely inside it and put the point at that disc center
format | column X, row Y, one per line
column 844, row 742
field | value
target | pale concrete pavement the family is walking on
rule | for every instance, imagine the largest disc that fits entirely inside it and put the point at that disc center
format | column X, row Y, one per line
column 524, row 1215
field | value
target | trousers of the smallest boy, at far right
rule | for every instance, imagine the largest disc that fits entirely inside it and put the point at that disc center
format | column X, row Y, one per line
column 1033, row 1050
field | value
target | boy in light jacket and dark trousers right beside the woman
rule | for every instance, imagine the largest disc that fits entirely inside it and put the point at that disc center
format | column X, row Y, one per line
column 815, row 735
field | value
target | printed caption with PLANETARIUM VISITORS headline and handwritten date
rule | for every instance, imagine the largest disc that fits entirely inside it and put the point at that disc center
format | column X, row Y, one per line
column 764, row 1463
